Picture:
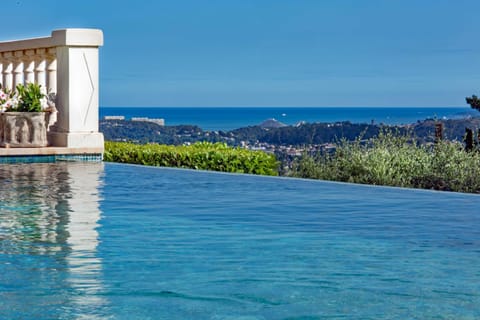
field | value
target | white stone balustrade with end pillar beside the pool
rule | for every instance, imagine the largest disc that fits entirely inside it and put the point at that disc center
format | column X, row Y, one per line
column 65, row 63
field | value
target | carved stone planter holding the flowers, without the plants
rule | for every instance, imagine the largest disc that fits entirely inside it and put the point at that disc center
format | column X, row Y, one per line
column 23, row 129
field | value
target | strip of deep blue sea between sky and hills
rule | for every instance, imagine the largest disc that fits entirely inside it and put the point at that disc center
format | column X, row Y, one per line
column 229, row 118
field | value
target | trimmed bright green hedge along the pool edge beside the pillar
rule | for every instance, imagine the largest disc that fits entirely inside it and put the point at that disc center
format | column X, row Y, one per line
column 201, row 155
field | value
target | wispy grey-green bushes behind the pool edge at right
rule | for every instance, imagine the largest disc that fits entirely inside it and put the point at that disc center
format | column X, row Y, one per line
column 394, row 160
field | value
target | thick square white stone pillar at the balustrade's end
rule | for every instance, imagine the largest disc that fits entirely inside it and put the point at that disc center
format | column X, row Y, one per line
column 77, row 88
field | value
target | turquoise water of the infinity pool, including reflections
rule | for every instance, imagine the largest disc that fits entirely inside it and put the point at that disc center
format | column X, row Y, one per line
column 107, row 241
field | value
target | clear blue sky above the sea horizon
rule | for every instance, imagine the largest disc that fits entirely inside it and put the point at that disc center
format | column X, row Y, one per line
column 247, row 53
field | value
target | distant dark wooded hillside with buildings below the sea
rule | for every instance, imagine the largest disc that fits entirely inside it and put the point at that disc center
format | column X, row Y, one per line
column 303, row 134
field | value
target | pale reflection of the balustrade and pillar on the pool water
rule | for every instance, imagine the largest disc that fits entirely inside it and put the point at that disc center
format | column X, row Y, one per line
column 48, row 219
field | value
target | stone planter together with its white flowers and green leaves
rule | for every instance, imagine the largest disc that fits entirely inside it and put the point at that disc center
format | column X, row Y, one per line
column 25, row 117
